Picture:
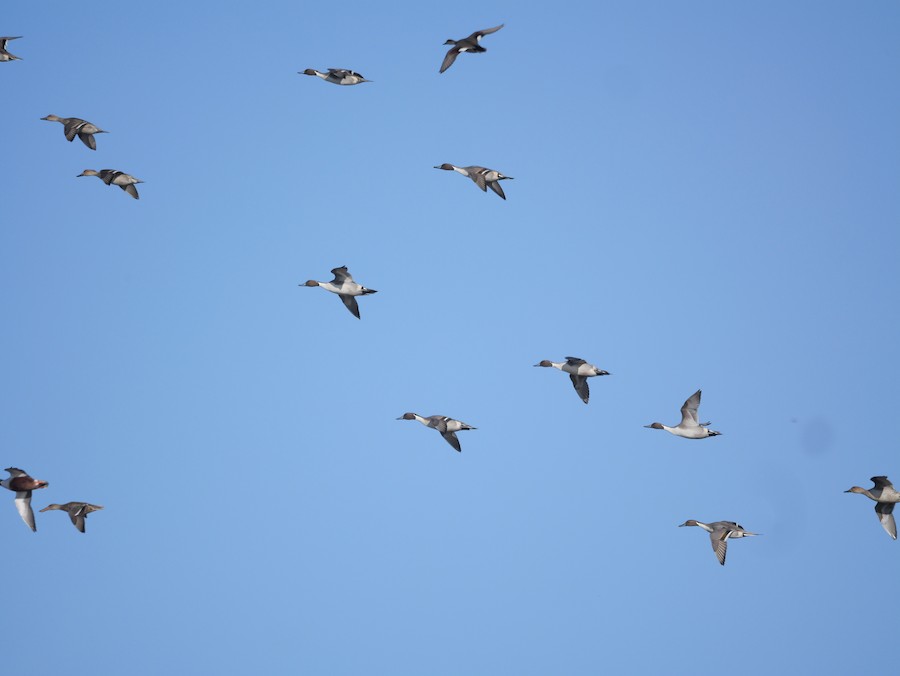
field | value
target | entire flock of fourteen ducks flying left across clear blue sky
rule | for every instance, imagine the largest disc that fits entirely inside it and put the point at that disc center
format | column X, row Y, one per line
column 882, row 493
